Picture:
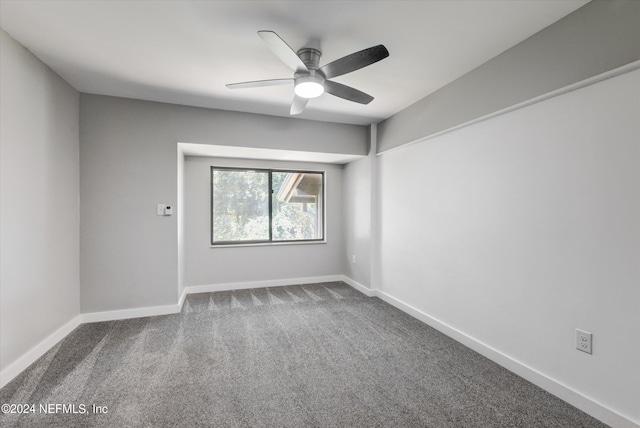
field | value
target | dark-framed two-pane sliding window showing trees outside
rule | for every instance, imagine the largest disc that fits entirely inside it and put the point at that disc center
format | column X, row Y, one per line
column 262, row 206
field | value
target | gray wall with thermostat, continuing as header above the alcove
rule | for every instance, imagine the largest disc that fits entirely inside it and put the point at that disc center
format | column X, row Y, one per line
column 129, row 163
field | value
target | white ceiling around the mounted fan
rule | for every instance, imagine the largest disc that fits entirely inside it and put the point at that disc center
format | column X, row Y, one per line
column 184, row 52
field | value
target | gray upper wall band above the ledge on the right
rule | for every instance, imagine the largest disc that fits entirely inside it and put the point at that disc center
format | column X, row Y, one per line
column 600, row 36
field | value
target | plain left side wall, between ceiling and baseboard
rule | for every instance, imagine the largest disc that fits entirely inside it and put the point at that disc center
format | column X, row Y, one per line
column 39, row 263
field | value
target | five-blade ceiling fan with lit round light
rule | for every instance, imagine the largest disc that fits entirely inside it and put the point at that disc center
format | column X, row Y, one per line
column 309, row 79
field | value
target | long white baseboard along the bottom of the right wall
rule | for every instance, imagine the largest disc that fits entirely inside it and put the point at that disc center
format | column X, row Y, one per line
column 564, row 392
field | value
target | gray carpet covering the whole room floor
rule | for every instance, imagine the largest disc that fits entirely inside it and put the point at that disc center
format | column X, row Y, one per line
column 319, row 355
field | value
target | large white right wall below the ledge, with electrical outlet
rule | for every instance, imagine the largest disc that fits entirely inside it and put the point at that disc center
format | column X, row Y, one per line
column 517, row 230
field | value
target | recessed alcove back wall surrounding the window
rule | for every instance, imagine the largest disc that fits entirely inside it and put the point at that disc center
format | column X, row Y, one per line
column 228, row 265
